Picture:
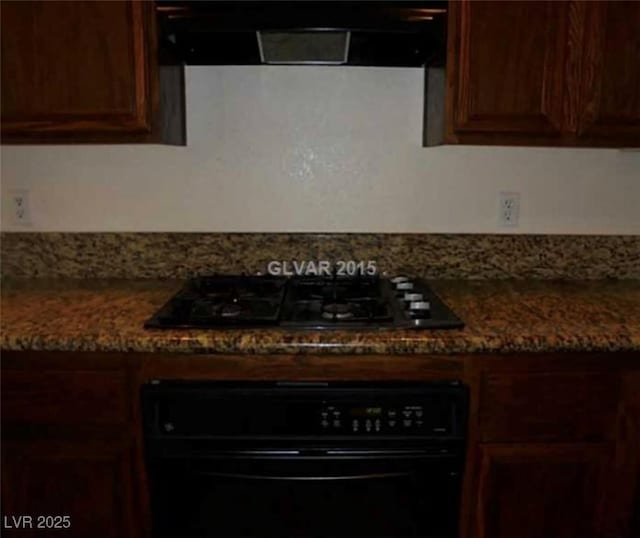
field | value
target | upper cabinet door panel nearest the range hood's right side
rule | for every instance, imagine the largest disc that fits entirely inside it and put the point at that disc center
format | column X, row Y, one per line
column 506, row 67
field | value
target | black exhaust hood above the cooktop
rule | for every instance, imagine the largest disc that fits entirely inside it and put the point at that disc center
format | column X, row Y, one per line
column 390, row 34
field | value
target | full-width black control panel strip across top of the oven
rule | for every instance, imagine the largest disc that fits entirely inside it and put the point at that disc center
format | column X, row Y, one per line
column 222, row 410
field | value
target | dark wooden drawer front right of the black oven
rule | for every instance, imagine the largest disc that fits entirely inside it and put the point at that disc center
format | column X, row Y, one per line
column 558, row 406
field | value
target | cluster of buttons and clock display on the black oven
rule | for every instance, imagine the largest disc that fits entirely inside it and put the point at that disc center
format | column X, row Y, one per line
column 385, row 419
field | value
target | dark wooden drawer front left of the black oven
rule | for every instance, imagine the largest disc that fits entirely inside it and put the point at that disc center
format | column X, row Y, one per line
column 65, row 397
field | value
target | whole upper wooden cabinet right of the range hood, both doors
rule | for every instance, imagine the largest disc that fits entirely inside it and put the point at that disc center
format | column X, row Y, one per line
column 543, row 73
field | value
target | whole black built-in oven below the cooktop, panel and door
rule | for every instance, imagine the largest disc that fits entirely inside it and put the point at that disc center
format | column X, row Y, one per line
column 304, row 459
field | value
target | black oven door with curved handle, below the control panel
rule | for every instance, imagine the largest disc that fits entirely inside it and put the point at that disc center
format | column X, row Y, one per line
column 289, row 494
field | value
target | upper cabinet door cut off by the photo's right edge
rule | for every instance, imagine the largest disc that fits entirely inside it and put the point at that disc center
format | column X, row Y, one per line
column 611, row 72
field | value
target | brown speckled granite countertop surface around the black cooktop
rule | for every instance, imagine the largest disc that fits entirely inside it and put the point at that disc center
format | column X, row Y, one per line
column 500, row 316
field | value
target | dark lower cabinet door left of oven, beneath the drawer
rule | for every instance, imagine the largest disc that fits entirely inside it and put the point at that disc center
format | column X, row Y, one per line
column 68, row 488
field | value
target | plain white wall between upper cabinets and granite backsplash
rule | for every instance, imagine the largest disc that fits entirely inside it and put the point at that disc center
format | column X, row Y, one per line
column 317, row 149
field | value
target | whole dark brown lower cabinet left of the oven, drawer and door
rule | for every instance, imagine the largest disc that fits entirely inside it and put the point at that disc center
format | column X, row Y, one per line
column 69, row 449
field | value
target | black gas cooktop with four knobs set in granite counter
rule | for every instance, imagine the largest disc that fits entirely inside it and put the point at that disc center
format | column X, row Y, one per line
column 314, row 302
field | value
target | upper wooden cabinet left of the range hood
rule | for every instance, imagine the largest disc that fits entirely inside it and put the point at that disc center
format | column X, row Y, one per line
column 87, row 71
